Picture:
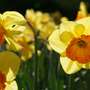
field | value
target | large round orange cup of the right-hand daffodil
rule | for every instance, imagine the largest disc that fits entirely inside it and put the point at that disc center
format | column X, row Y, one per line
column 79, row 49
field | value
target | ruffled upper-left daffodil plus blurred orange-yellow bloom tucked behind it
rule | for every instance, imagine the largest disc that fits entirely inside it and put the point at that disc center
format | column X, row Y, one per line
column 16, row 33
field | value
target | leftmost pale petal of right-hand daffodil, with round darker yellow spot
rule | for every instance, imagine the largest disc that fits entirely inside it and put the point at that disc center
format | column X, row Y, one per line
column 59, row 39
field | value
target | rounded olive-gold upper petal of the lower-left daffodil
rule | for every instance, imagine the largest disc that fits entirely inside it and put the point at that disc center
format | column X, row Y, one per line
column 9, row 63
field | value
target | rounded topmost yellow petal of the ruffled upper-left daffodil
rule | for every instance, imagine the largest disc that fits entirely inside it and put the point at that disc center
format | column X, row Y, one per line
column 12, row 17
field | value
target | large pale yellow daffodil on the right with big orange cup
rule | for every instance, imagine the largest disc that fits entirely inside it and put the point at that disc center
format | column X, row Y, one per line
column 72, row 42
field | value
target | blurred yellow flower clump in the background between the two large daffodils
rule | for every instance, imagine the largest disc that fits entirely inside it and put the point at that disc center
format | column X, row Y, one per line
column 42, row 22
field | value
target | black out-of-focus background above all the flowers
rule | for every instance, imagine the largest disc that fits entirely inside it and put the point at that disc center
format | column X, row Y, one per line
column 66, row 7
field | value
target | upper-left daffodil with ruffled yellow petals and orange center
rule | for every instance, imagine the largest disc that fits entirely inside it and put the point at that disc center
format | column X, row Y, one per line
column 12, row 24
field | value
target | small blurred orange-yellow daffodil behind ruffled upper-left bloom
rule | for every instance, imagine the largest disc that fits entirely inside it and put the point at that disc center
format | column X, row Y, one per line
column 27, row 48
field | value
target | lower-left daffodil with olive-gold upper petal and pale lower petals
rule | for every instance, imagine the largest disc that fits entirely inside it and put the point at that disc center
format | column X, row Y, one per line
column 9, row 66
